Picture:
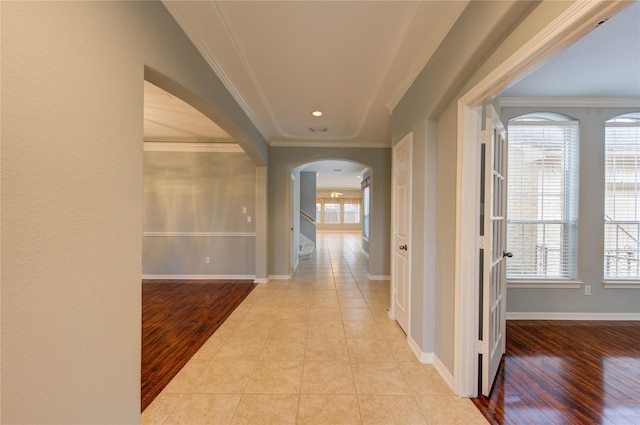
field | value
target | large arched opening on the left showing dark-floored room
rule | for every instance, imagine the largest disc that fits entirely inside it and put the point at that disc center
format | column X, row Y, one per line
column 201, row 206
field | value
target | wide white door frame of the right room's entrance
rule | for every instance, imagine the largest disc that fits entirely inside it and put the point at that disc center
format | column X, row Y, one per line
column 574, row 23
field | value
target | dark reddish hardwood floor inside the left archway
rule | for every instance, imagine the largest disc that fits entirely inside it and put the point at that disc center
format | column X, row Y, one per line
column 177, row 318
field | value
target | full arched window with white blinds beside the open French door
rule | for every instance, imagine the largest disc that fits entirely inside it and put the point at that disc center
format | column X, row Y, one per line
column 542, row 197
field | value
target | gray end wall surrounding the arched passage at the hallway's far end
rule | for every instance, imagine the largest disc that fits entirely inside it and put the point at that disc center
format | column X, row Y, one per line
column 282, row 159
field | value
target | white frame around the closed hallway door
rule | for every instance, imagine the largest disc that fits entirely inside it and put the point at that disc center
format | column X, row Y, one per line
column 407, row 139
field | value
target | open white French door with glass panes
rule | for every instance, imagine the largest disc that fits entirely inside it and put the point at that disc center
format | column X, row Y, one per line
column 494, row 254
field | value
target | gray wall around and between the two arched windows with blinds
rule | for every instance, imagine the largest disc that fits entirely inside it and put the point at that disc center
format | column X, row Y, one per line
column 590, row 228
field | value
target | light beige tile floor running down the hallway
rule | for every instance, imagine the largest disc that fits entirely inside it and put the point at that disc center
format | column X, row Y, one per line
column 317, row 349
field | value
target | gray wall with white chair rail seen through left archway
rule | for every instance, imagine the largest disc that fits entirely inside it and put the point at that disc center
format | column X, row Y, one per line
column 206, row 197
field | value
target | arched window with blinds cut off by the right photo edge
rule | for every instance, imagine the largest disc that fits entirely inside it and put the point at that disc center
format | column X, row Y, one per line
column 622, row 204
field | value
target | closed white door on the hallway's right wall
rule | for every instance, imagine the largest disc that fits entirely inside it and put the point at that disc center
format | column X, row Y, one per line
column 401, row 293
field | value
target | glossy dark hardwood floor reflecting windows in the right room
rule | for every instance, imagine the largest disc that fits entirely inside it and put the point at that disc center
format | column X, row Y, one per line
column 567, row 373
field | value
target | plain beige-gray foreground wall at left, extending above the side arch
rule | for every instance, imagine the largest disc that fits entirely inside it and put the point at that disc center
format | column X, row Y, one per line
column 71, row 222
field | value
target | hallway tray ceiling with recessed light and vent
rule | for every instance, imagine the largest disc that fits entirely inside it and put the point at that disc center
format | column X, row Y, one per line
column 352, row 60
